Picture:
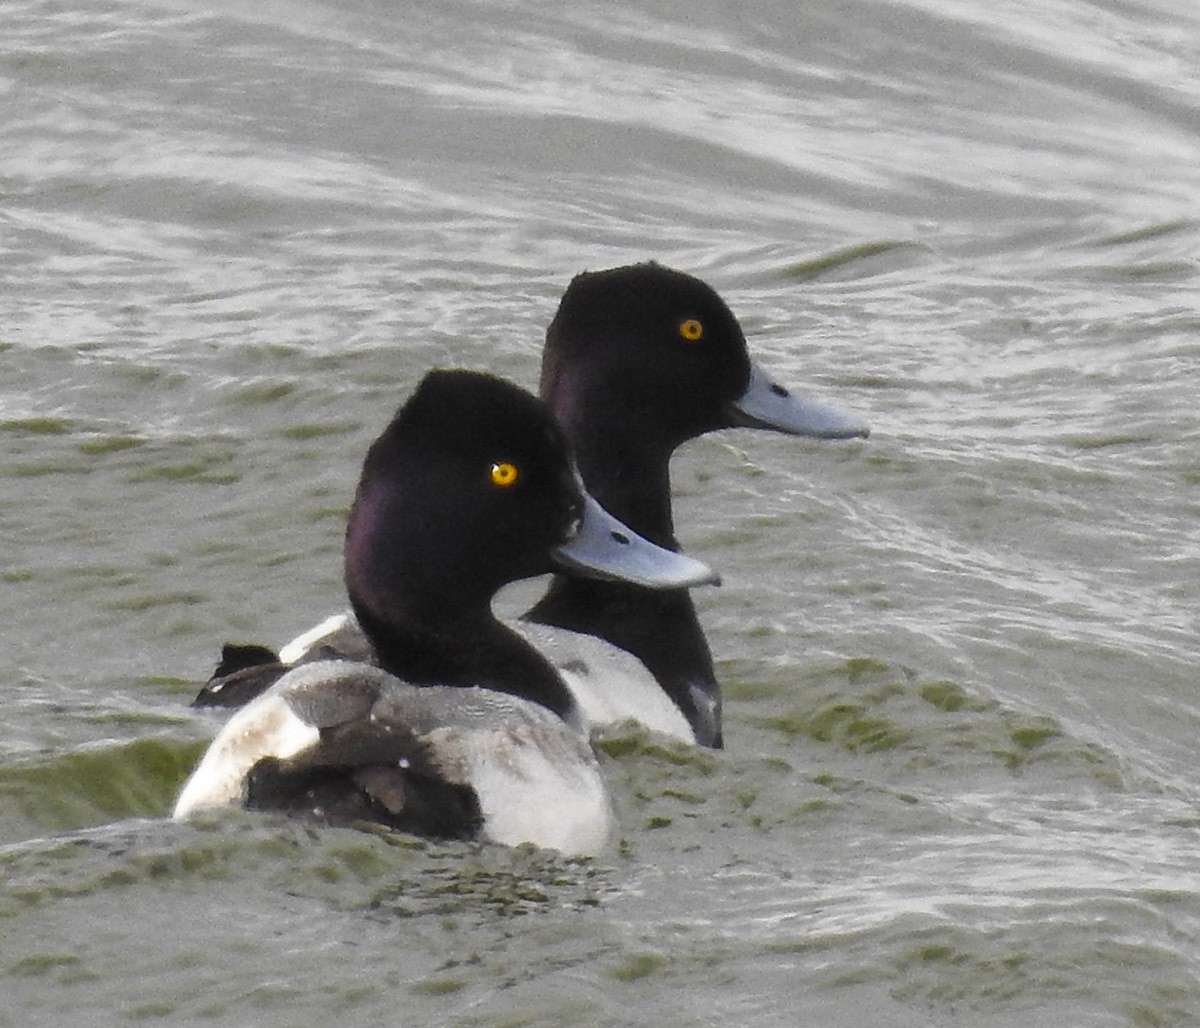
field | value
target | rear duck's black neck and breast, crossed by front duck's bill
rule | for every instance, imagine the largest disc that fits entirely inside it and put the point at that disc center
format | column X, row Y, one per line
column 632, row 480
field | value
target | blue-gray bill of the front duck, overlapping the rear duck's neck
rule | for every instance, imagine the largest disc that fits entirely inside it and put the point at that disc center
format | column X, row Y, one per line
column 604, row 548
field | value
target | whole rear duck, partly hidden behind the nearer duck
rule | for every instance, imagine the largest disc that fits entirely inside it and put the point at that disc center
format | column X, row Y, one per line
column 638, row 362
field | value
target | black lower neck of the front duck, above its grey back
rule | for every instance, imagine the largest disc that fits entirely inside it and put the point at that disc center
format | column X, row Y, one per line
column 469, row 650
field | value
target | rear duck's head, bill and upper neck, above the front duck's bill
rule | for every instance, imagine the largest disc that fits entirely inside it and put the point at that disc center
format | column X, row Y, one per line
column 641, row 359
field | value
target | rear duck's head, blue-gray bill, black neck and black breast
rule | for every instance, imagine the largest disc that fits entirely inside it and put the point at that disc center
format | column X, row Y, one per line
column 638, row 362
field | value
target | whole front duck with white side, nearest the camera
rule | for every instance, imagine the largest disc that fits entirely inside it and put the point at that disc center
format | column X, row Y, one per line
column 459, row 729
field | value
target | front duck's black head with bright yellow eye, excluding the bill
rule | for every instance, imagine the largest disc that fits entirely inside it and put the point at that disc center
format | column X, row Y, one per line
column 469, row 489
